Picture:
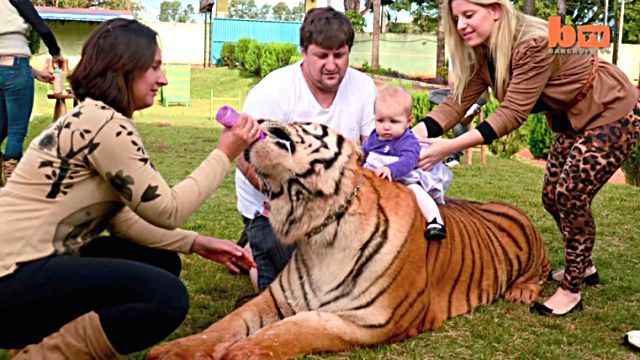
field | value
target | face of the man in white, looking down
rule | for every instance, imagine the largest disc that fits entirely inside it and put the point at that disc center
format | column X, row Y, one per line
column 325, row 68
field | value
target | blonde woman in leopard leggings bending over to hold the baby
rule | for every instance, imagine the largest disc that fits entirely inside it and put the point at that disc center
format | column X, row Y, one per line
column 588, row 103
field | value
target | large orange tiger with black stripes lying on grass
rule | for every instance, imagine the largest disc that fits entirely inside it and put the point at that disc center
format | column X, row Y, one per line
column 363, row 274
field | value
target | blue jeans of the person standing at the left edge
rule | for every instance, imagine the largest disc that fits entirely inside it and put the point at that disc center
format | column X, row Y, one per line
column 16, row 103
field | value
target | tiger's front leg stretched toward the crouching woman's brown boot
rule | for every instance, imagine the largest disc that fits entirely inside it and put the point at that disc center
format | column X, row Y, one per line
column 241, row 323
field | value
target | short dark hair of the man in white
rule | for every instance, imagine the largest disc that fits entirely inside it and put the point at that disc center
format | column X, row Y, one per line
column 327, row 28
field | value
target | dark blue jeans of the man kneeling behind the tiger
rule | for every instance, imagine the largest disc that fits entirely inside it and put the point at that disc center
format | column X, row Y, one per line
column 270, row 255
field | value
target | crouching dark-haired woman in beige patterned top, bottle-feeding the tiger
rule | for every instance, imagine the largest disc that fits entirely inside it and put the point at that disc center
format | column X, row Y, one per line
column 66, row 290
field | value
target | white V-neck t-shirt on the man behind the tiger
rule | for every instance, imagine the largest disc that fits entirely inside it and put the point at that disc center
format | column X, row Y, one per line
column 284, row 95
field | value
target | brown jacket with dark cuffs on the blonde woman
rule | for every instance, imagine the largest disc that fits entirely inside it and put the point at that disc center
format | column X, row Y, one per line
column 540, row 76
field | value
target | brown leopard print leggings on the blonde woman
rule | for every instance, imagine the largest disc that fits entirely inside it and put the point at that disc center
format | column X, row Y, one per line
column 579, row 164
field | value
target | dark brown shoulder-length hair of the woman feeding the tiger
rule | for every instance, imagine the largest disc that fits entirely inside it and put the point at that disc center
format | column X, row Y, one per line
column 116, row 52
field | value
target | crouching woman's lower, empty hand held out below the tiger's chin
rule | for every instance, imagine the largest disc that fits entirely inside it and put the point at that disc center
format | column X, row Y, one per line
column 224, row 252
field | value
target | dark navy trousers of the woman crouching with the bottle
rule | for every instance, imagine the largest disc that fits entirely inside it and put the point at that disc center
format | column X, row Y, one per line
column 137, row 304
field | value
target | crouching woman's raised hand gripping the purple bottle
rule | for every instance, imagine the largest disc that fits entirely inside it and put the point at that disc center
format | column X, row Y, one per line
column 235, row 140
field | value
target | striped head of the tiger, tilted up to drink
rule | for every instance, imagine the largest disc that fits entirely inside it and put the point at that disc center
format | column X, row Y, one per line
column 307, row 169
